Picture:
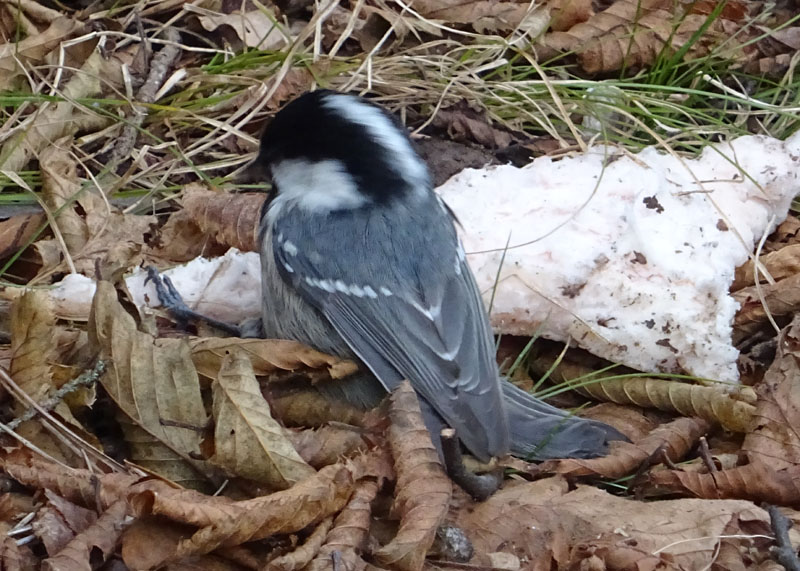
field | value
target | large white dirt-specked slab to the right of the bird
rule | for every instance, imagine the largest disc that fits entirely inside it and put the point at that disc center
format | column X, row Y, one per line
column 630, row 256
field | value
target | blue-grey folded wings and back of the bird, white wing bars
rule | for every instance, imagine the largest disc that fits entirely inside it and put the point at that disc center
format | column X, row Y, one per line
column 407, row 312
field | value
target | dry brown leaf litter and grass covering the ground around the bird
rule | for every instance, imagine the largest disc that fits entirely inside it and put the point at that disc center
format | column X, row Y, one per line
column 227, row 453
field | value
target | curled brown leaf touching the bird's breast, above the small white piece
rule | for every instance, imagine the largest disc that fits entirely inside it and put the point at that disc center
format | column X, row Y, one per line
column 232, row 219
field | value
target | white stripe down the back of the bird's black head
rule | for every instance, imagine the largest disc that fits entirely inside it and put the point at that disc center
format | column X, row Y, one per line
column 409, row 166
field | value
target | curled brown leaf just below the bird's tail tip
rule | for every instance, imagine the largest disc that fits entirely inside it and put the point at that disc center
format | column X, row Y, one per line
column 679, row 436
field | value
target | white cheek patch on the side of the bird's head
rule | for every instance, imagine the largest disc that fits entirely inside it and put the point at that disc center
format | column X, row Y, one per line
column 320, row 186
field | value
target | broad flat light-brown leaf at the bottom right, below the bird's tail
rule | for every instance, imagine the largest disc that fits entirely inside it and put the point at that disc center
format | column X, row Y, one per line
column 553, row 527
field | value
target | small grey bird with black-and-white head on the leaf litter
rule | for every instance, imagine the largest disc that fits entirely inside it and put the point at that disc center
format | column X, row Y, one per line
column 361, row 259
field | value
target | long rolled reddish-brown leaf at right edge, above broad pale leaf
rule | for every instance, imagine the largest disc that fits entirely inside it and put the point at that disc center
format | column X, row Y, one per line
column 757, row 481
